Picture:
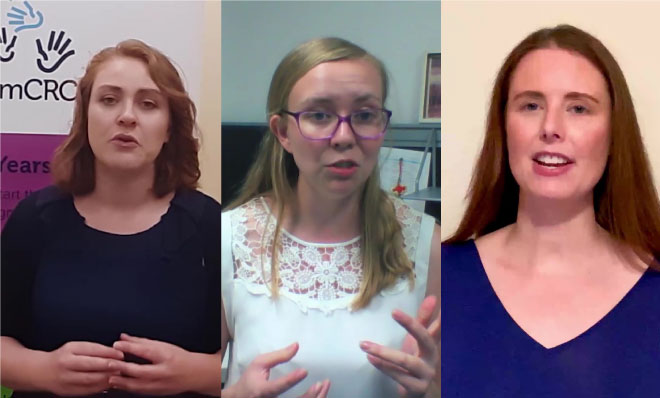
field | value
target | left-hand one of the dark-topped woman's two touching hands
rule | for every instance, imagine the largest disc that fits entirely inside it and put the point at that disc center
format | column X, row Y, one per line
column 80, row 368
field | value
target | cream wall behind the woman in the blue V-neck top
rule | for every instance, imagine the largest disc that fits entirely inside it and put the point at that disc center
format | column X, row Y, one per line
column 477, row 36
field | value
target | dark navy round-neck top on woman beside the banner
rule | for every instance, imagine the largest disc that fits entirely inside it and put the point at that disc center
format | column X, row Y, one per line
column 65, row 281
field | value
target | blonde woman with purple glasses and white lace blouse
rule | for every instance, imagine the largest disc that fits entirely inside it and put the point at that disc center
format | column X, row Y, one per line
column 317, row 258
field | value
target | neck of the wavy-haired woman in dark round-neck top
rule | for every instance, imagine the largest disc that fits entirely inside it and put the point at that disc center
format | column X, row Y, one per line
column 123, row 189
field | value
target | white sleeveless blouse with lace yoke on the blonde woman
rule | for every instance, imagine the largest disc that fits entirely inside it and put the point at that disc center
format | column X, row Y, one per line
column 318, row 283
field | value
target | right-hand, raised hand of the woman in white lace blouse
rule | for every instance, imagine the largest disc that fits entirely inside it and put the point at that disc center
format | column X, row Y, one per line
column 413, row 367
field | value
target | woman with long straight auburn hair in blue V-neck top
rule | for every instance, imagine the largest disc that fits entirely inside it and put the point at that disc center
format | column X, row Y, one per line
column 550, row 284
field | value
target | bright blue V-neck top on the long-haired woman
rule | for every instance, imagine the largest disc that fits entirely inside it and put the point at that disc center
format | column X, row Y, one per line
column 486, row 354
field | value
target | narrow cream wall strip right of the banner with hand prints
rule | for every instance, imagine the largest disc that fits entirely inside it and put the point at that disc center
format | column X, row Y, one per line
column 209, row 104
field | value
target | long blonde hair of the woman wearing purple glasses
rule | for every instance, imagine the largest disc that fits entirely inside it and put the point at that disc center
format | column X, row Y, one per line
column 275, row 172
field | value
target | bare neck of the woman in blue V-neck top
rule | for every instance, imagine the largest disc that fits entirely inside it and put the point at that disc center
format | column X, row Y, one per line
column 555, row 235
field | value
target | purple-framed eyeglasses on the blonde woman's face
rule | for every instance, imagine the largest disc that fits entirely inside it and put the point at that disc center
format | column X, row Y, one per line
column 367, row 124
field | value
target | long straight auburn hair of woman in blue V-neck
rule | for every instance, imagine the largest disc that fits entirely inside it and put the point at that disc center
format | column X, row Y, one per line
column 625, row 201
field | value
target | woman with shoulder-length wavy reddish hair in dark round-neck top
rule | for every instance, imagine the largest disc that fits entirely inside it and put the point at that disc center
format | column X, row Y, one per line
column 111, row 277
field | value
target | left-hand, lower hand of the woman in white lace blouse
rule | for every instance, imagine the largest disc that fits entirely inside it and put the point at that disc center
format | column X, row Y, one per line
column 254, row 381
